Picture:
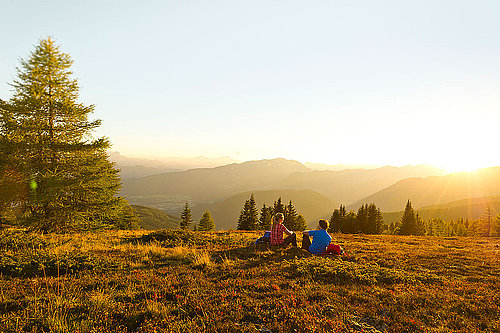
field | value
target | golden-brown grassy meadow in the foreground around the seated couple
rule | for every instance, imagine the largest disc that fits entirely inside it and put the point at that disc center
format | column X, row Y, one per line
column 173, row 281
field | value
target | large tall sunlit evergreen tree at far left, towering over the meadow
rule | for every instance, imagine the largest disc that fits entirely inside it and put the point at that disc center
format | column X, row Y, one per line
column 64, row 174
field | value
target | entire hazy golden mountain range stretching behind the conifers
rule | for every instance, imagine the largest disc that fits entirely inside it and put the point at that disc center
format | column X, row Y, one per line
column 224, row 189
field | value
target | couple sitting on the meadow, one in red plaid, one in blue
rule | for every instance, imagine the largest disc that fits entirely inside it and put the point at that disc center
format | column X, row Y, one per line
column 320, row 242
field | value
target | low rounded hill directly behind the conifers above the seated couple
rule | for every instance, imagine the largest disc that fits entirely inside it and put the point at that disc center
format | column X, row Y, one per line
column 310, row 204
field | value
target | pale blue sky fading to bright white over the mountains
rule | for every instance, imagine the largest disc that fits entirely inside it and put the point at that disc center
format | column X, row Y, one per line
column 370, row 82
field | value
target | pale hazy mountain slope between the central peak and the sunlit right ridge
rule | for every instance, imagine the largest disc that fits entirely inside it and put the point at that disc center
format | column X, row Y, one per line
column 348, row 186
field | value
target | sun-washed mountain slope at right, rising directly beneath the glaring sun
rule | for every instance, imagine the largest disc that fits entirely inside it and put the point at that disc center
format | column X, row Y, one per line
column 436, row 190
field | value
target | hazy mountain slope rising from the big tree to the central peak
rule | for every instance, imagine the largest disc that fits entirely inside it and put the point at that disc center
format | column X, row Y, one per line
column 214, row 183
